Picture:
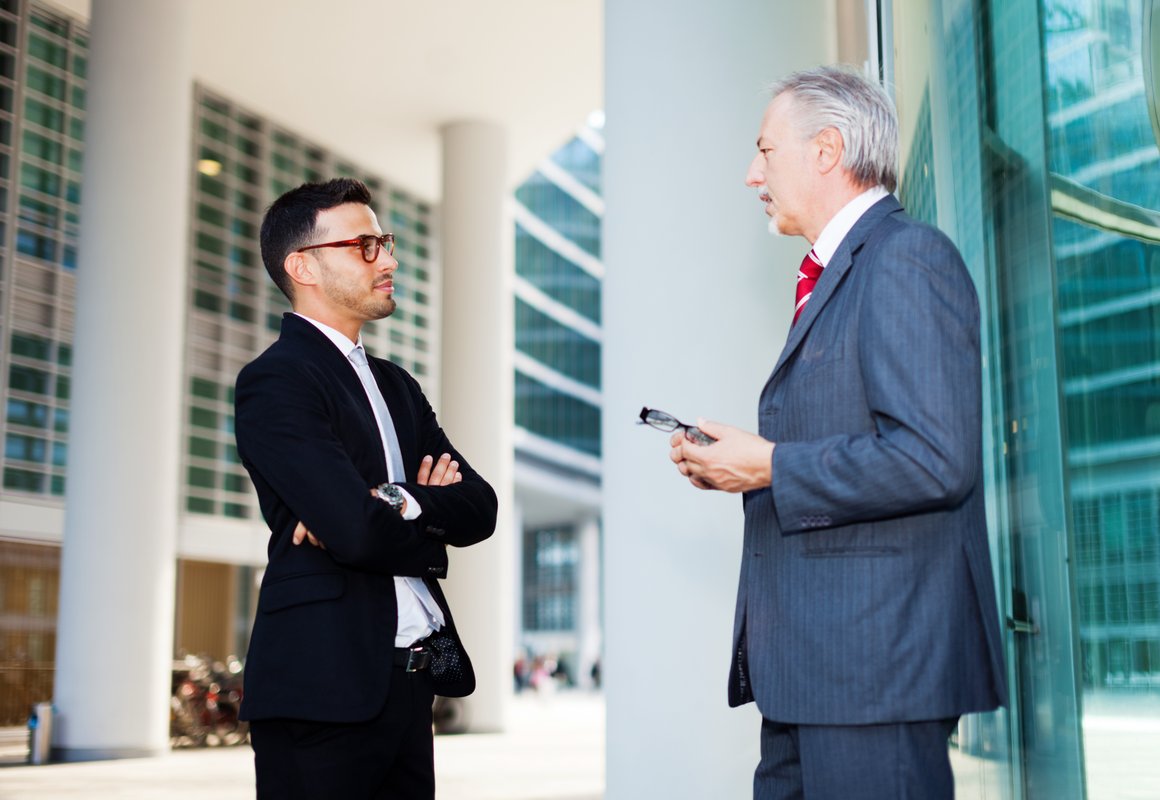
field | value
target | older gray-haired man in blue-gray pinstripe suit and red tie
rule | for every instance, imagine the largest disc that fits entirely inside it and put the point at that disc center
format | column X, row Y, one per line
column 866, row 619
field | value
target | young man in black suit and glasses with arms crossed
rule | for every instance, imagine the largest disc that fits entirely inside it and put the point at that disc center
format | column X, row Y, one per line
column 362, row 492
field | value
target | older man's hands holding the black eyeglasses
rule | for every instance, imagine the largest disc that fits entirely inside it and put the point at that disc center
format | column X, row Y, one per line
column 737, row 462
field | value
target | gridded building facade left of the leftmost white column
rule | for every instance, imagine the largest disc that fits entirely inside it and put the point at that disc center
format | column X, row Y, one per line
column 43, row 64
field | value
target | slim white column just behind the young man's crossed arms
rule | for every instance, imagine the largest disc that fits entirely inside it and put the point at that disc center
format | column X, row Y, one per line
column 477, row 395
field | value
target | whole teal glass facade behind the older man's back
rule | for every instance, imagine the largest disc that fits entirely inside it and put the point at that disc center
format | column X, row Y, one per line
column 1031, row 136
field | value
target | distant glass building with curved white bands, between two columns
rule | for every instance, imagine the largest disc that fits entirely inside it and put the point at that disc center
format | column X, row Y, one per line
column 559, row 343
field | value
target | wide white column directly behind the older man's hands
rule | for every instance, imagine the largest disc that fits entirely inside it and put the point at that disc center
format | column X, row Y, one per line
column 698, row 301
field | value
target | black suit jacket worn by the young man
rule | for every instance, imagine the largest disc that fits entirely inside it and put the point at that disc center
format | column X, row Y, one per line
column 324, row 638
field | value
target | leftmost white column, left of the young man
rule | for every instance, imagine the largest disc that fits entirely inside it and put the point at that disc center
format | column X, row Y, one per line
column 115, row 636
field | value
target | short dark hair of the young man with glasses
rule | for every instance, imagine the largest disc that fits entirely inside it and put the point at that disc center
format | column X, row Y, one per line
column 291, row 222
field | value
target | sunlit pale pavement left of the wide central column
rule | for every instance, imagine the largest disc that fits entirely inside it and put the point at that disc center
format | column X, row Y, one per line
column 554, row 751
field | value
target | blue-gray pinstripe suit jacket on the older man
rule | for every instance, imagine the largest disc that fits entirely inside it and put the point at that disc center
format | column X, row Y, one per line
column 866, row 593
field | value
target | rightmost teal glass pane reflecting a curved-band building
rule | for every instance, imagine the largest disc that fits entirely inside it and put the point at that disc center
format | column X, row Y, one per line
column 1103, row 139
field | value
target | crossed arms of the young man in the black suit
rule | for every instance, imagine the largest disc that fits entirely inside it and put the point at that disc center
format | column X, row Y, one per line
column 313, row 469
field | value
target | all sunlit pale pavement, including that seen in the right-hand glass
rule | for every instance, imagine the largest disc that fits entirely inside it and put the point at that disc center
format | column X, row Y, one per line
column 555, row 751
